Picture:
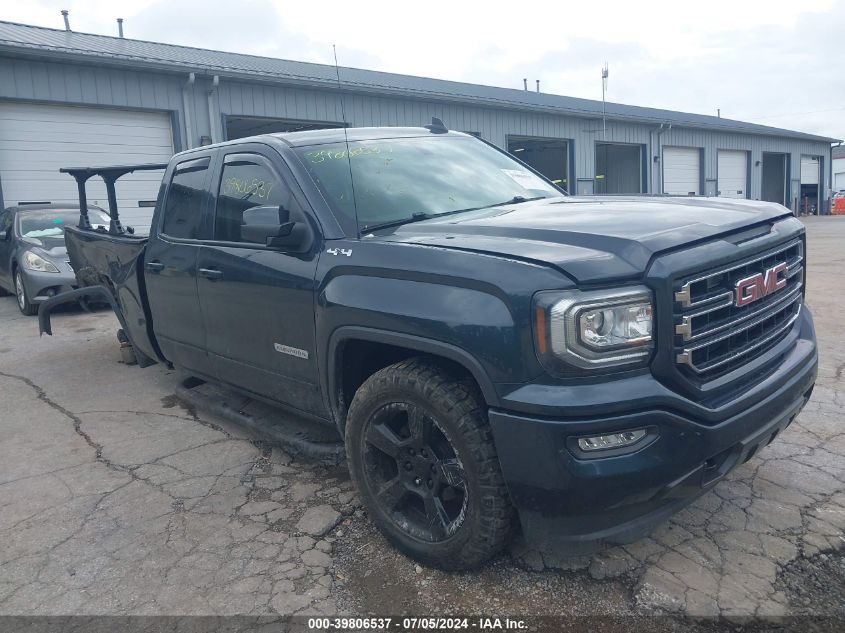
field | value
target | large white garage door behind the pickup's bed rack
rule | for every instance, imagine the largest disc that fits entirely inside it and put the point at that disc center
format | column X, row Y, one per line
column 36, row 140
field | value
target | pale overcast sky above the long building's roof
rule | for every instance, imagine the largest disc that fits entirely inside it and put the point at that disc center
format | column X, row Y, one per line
column 774, row 62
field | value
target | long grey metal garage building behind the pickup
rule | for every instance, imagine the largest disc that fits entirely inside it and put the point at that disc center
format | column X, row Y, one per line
column 70, row 98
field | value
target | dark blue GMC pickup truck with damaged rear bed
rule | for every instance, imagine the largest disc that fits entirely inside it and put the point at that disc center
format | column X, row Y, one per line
column 495, row 354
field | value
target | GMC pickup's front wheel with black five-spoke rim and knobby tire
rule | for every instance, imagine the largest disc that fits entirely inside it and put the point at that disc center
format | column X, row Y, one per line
column 422, row 456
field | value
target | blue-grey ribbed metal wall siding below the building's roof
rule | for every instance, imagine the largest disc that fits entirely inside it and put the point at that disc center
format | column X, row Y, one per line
column 73, row 83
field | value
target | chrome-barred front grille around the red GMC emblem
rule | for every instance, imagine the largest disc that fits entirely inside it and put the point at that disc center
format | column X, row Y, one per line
column 713, row 335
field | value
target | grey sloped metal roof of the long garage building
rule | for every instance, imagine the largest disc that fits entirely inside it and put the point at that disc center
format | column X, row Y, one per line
column 19, row 39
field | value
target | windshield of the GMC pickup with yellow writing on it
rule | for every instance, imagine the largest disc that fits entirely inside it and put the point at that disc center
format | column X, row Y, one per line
column 398, row 179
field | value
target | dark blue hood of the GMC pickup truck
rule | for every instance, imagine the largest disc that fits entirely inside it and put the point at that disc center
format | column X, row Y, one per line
column 590, row 238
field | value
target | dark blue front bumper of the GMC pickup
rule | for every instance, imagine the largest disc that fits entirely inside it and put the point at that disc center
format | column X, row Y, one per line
column 574, row 505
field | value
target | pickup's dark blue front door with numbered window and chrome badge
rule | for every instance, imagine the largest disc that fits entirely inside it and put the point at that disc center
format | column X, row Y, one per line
column 258, row 302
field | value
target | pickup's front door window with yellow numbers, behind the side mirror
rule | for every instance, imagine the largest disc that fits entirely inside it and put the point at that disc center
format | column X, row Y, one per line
column 250, row 193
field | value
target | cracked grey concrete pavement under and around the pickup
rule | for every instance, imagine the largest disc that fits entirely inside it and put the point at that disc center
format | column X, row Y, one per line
column 116, row 500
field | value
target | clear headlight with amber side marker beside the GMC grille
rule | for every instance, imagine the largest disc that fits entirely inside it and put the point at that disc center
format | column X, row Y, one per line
column 593, row 330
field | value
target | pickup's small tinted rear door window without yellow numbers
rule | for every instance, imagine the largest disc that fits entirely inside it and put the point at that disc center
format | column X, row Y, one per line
column 186, row 197
